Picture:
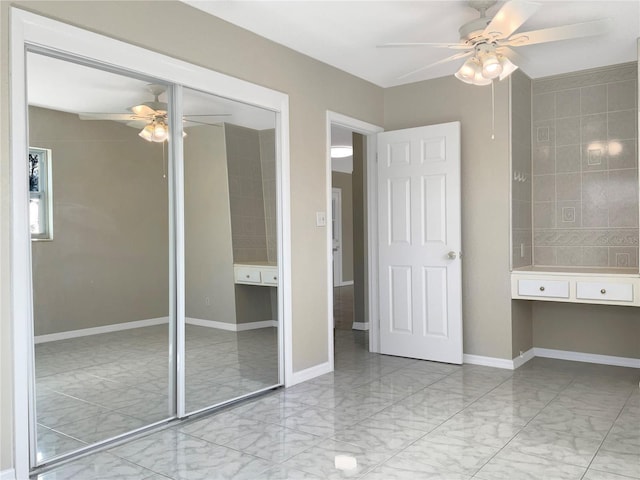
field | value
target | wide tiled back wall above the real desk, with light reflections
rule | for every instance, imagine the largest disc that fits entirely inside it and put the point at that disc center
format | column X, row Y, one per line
column 585, row 168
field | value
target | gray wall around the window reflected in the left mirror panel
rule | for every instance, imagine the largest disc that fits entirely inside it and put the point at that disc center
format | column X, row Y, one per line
column 109, row 259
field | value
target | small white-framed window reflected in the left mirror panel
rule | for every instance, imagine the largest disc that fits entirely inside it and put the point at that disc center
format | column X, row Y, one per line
column 40, row 211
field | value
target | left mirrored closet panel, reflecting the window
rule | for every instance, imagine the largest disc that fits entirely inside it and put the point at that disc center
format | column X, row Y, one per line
column 100, row 256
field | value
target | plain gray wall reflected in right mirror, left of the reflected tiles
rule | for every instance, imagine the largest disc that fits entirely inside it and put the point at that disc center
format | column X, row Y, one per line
column 209, row 278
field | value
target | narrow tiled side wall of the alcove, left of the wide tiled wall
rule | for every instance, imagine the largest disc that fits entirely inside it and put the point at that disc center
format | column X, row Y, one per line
column 521, row 169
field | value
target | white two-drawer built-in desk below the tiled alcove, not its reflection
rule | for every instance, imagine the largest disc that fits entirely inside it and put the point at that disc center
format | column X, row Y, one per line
column 605, row 286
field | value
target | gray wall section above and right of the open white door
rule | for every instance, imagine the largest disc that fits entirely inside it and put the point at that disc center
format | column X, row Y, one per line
column 486, row 289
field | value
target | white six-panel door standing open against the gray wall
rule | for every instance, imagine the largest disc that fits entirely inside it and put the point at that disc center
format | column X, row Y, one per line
column 419, row 243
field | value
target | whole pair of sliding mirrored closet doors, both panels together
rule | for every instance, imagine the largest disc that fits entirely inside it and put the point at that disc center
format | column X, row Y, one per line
column 111, row 196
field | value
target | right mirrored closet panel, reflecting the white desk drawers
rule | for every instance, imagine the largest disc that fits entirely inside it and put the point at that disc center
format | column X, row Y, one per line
column 230, row 250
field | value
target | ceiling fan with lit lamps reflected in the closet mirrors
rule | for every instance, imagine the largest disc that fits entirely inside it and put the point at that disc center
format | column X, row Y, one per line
column 152, row 116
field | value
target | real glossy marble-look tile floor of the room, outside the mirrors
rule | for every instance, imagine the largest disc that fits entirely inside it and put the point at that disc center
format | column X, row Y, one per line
column 550, row 419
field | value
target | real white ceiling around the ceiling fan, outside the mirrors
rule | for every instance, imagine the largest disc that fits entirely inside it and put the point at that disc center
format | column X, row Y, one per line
column 345, row 33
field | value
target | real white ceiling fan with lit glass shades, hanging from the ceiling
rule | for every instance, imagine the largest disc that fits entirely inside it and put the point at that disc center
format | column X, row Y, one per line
column 488, row 42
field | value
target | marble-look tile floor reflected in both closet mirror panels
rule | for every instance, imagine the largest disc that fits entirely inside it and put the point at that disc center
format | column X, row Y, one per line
column 95, row 387
